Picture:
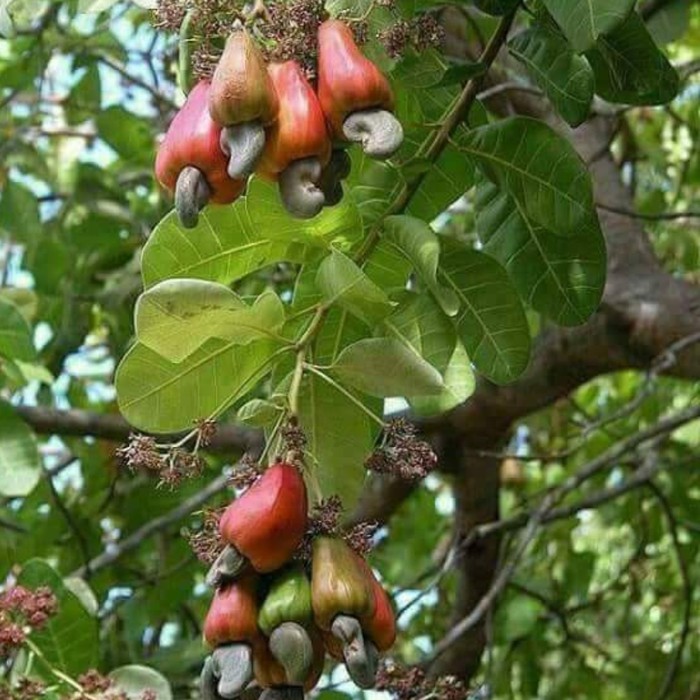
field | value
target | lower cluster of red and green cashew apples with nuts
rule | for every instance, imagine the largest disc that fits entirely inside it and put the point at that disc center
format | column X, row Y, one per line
column 273, row 618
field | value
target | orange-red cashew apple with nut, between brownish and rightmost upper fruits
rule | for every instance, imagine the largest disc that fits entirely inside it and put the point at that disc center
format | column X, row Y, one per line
column 297, row 145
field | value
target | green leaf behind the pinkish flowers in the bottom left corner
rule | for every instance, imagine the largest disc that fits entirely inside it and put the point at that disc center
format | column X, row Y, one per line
column 69, row 639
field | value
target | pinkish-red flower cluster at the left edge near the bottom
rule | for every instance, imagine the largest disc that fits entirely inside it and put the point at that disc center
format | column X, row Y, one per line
column 22, row 610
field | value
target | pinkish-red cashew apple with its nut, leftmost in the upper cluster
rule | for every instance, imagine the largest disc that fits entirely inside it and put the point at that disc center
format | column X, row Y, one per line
column 190, row 162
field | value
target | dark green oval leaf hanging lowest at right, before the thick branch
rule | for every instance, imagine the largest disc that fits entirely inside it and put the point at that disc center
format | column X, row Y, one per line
column 492, row 323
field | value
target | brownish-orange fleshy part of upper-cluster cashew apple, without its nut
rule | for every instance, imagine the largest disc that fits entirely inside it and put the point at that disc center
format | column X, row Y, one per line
column 241, row 90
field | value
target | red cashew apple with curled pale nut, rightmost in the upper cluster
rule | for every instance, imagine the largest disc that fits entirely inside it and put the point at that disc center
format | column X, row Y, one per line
column 354, row 94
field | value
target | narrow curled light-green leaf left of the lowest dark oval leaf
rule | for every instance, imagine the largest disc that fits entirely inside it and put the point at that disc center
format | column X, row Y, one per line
column 419, row 243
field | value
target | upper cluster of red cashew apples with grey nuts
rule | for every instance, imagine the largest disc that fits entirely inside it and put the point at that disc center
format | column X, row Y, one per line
column 269, row 120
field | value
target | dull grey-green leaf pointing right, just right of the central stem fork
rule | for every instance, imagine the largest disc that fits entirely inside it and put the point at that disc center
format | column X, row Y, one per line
column 385, row 367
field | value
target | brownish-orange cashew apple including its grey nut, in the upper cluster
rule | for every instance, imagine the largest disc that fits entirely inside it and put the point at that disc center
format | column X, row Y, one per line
column 243, row 101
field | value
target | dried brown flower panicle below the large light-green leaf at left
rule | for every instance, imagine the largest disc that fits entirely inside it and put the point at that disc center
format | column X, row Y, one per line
column 172, row 464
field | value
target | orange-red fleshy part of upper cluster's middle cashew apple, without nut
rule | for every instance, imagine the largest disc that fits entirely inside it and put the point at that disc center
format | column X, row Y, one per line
column 300, row 130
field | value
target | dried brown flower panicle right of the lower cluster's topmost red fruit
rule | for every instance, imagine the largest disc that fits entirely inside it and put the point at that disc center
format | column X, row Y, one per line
column 402, row 453
